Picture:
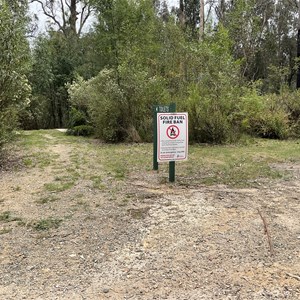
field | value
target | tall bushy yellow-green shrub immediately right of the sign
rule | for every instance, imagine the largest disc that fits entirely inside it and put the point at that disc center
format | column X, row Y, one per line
column 213, row 96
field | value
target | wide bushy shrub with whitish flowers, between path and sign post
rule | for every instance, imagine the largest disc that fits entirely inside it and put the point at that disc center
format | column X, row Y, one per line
column 120, row 103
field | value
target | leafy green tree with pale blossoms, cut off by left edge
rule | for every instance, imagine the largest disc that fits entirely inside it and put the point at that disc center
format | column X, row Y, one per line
column 14, row 64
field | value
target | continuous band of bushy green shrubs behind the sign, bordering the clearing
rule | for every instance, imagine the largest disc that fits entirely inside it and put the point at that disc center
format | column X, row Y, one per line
column 118, row 101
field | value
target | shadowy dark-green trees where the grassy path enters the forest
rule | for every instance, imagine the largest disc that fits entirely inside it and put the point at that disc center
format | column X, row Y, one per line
column 55, row 60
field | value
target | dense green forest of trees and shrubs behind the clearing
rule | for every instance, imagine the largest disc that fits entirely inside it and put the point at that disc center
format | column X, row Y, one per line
column 232, row 65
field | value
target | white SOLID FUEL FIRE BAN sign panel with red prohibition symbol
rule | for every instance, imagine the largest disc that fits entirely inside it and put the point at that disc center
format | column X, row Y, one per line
column 172, row 129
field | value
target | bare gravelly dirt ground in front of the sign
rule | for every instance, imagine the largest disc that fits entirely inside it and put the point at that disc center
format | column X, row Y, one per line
column 167, row 242
